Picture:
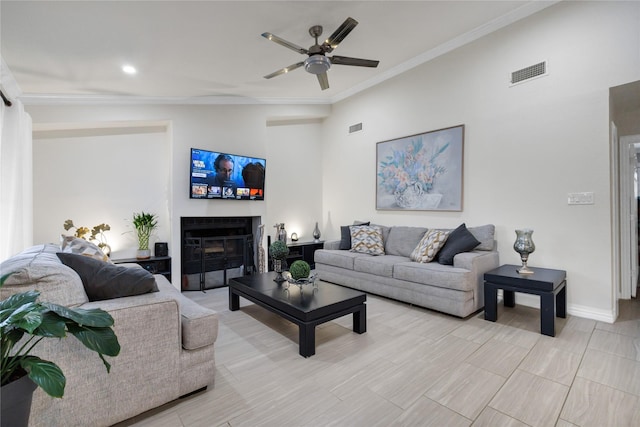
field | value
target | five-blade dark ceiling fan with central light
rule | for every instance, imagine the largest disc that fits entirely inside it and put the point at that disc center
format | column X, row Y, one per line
column 318, row 63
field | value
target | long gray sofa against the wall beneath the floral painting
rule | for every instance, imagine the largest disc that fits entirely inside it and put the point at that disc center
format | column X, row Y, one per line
column 454, row 289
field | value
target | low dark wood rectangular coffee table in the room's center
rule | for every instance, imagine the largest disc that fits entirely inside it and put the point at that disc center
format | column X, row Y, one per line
column 307, row 307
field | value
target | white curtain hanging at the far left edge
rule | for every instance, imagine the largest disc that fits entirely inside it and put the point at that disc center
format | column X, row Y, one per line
column 16, row 176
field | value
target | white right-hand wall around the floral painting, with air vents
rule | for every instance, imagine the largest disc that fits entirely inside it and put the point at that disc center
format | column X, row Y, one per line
column 526, row 146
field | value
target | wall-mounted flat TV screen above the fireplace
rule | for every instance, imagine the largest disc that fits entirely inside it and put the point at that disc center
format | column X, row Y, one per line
column 217, row 175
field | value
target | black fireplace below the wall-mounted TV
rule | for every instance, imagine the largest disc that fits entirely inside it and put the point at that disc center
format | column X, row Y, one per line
column 215, row 249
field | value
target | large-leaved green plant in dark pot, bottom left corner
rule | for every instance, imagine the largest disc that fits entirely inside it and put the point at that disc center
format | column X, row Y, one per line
column 24, row 322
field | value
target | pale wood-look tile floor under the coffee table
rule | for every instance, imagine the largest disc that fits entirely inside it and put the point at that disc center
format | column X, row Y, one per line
column 416, row 367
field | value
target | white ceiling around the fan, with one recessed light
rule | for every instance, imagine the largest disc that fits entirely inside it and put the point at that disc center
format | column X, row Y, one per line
column 213, row 51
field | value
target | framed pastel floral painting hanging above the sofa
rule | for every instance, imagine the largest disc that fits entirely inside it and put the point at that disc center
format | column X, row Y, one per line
column 421, row 172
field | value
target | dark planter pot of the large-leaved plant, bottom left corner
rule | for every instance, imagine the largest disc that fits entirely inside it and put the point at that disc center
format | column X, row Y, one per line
column 16, row 402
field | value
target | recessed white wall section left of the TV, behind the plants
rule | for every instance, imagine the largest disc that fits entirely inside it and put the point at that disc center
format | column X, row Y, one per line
column 103, row 177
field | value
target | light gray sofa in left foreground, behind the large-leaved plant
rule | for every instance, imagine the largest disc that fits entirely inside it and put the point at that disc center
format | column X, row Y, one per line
column 167, row 346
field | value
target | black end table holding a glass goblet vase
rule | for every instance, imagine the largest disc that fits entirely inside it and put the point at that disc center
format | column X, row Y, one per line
column 549, row 284
